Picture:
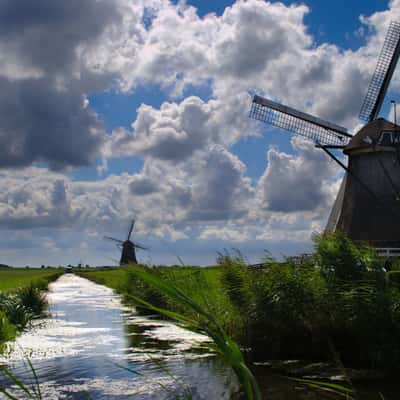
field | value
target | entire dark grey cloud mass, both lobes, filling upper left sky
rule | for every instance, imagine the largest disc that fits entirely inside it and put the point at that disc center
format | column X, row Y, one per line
column 43, row 116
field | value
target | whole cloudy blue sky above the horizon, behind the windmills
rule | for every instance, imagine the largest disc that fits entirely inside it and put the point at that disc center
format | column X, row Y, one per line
column 114, row 110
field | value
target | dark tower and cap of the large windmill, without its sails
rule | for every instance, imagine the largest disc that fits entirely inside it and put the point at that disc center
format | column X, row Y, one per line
column 364, row 217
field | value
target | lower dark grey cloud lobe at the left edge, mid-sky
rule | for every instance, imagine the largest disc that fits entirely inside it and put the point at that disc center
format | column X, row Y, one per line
column 39, row 123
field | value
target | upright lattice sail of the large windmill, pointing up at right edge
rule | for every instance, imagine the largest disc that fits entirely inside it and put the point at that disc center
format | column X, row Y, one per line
column 383, row 74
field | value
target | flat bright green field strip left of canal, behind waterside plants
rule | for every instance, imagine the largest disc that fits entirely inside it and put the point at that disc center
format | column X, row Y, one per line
column 14, row 278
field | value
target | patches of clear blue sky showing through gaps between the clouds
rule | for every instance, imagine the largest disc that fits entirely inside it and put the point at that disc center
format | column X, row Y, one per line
column 327, row 22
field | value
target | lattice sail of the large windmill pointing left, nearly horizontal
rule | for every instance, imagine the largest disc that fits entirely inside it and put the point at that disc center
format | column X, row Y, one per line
column 316, row 129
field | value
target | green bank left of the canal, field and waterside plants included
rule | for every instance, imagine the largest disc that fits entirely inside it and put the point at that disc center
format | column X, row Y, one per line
column 22, row 298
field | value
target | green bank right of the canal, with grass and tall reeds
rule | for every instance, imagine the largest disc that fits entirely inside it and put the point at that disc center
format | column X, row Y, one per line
column 339, row 304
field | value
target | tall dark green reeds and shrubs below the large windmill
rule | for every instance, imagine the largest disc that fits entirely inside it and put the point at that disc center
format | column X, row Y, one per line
column 339, row 296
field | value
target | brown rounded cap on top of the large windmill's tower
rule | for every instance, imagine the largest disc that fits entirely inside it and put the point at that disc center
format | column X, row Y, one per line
column 369, row 135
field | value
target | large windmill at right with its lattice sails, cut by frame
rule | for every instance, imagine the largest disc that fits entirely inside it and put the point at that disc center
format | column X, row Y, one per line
column 367, row 207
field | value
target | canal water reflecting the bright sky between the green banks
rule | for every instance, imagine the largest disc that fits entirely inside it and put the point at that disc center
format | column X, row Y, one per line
column 83, row 351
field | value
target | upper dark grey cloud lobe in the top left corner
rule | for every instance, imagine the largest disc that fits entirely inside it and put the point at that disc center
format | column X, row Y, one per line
column 46, row 33
